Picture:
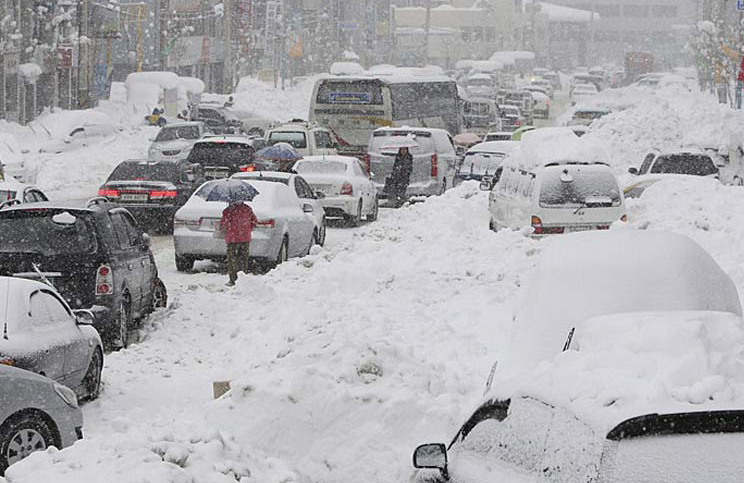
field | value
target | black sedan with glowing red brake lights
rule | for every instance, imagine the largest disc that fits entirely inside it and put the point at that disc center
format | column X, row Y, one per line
column 152, row 190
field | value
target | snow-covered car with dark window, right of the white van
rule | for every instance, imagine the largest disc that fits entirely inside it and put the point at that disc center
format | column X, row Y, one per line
column 658, row 165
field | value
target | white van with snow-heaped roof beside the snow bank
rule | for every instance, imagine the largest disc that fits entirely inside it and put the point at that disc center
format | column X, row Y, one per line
column 560, row 197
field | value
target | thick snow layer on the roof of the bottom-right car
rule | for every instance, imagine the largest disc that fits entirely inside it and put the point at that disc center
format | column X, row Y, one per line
column 627, row 365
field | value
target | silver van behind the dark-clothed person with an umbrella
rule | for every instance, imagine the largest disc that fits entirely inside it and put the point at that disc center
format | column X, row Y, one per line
column 434, row 159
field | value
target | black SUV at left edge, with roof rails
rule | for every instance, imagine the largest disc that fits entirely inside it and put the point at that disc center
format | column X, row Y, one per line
column 96, row 257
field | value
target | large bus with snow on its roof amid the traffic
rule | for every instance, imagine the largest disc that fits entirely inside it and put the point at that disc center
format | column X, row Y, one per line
column 352, row 107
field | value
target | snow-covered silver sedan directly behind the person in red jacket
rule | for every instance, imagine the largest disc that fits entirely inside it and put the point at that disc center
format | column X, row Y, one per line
column 284, row 230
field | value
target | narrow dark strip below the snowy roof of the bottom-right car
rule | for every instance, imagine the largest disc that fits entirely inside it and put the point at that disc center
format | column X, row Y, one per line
column 700, row 422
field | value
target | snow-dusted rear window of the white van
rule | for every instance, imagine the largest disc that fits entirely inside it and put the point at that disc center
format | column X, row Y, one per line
column 578, row 186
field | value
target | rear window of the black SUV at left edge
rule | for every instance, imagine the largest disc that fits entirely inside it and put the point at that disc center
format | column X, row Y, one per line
column 46, row 233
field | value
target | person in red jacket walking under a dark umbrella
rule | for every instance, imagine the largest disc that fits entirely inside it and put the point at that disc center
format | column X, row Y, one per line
column 237, row 223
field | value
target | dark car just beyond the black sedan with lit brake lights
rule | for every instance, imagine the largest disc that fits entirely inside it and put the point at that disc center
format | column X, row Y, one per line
column 223, row 156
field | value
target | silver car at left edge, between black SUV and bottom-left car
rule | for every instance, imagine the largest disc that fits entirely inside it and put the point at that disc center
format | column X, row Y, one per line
column 43, row 335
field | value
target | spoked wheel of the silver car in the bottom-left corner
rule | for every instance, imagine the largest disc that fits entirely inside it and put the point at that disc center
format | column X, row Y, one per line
column 20, row 436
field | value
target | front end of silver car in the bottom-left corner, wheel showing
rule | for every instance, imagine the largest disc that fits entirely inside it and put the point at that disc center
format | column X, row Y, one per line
column 35, row 413
